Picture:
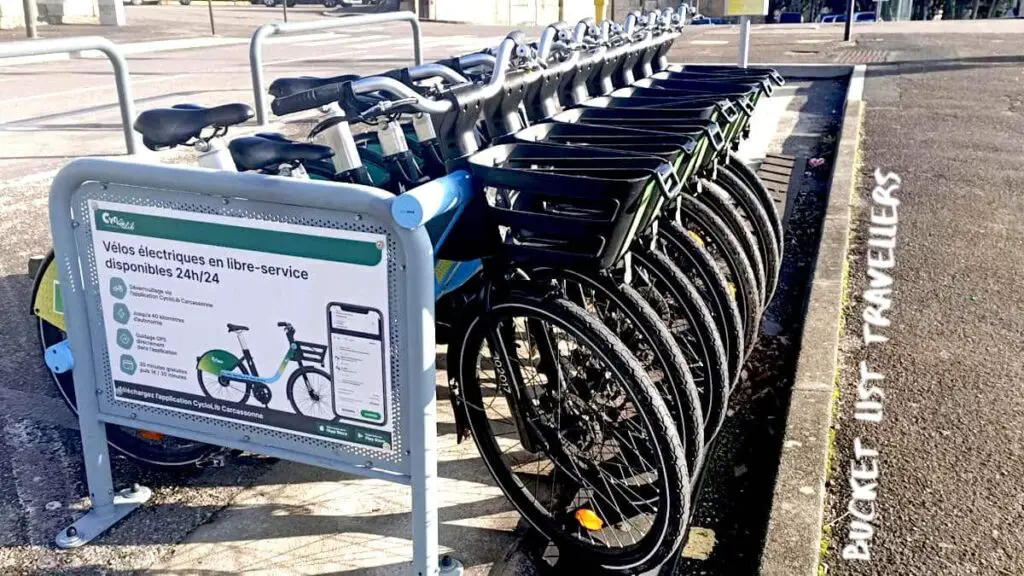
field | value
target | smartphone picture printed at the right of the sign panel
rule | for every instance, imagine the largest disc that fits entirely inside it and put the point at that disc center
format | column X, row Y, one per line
column 358, row 366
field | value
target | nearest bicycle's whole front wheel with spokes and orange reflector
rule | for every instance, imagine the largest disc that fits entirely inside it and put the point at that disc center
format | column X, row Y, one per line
column 573, row 431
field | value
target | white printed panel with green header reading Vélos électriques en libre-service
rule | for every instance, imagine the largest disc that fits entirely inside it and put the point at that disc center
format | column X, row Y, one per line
column 272, row 324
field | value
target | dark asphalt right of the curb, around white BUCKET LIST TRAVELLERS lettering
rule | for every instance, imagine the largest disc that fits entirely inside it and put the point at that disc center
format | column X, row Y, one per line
column 947, row 114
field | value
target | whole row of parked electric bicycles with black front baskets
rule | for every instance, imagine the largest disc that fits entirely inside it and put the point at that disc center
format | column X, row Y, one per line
column 601, row 282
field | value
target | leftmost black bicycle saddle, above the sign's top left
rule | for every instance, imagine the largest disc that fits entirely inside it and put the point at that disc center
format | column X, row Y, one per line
column 168, row 128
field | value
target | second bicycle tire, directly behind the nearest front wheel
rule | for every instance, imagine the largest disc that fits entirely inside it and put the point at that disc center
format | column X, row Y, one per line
column 679, row 392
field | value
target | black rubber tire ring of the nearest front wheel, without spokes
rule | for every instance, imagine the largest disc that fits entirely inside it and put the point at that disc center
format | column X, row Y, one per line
column 673, row 513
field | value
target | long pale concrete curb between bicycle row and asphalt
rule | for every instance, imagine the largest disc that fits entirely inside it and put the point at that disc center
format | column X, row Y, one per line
column 793, row 542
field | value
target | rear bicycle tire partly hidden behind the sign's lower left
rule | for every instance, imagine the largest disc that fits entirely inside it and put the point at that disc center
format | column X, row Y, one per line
column 169, row 454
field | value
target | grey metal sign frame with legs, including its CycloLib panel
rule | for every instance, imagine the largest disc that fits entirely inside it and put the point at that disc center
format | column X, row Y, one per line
column 153, row 261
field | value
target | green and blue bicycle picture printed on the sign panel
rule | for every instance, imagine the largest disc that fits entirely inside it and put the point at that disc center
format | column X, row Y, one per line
column 230, row 379
